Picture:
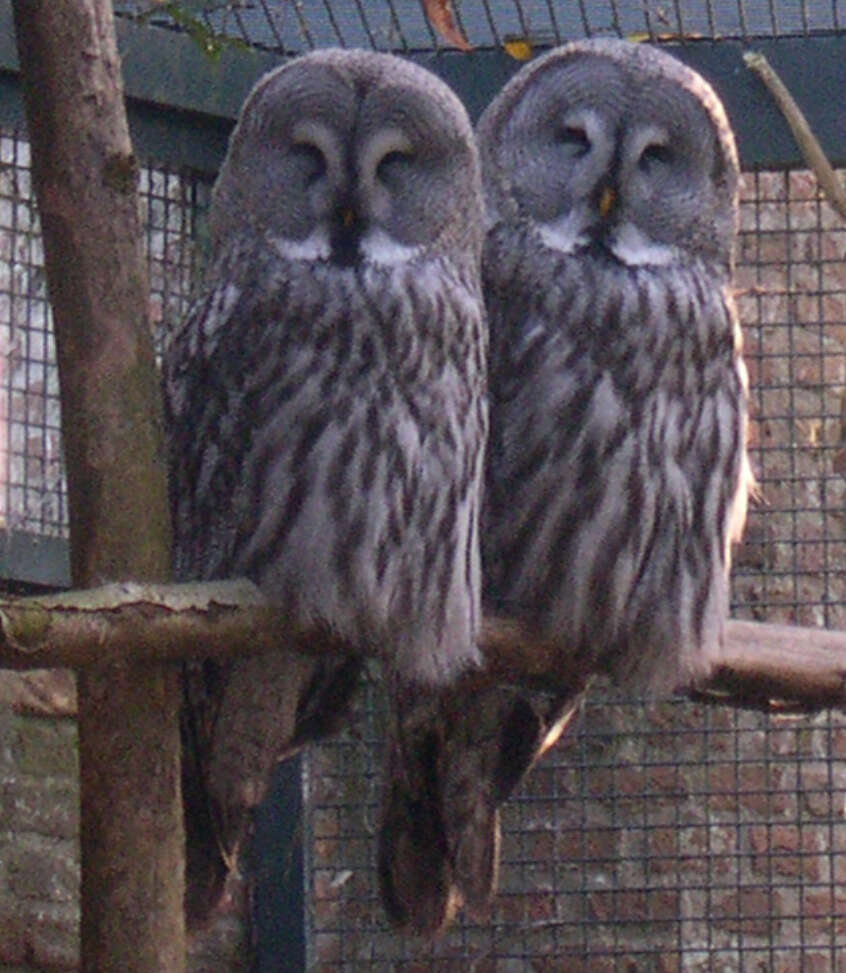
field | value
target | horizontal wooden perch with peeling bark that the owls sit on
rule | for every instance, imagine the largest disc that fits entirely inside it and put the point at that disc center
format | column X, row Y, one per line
column 762, row 665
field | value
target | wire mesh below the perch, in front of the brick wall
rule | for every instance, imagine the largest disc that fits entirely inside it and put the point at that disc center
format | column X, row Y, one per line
column 667, row 837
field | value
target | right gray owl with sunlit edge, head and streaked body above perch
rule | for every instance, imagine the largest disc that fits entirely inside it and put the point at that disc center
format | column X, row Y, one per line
column 617, row 474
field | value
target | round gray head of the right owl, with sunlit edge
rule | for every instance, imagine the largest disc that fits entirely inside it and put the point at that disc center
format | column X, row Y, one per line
column 605, row 142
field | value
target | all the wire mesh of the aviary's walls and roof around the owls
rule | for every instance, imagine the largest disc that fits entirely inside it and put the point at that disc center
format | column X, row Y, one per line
column 668, row 836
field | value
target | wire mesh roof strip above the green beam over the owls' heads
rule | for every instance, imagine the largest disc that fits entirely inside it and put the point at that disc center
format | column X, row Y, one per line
column 400, row 25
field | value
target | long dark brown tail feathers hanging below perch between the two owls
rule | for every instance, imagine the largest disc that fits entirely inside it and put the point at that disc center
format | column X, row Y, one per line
column 454, row 757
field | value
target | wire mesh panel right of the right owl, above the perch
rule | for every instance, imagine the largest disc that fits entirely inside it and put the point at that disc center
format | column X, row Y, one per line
column 791, row 283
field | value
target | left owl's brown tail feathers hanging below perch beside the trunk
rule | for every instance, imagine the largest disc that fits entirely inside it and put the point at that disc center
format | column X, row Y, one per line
column 239, row 721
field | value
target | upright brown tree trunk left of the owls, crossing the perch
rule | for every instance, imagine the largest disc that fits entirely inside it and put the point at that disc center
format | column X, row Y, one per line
column 85, row 182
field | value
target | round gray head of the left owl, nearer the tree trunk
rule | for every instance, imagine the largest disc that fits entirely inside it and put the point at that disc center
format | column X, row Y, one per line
column 348, row 155
